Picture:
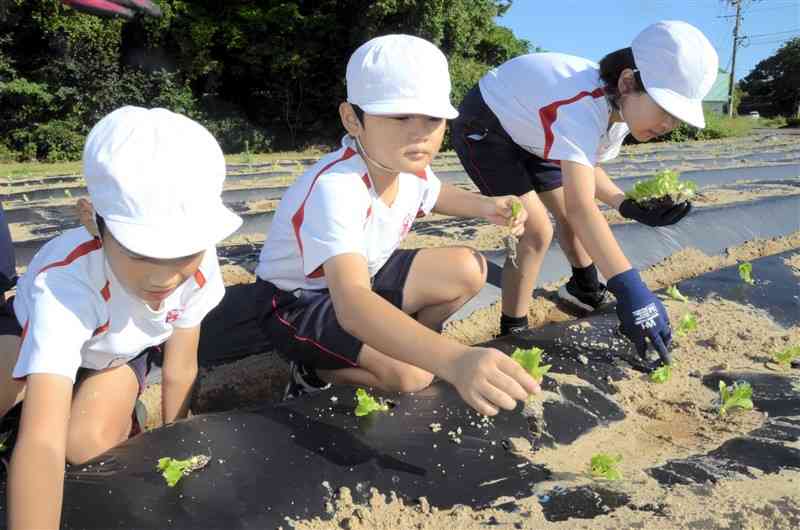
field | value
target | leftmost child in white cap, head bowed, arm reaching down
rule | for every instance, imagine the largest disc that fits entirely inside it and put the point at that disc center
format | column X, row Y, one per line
column 140, row 273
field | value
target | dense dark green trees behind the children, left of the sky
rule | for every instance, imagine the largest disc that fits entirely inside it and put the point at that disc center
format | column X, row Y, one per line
column 266, row 72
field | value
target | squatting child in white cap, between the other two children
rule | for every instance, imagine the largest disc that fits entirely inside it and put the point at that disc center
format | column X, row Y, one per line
column 341, row 301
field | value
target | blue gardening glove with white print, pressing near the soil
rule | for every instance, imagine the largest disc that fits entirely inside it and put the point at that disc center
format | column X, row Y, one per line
column 642, row 316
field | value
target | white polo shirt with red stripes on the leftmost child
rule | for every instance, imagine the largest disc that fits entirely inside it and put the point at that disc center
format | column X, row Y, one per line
column 74, row 313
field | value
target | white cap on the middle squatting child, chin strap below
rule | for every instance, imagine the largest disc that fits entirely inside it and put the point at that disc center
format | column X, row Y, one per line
column 400, row 74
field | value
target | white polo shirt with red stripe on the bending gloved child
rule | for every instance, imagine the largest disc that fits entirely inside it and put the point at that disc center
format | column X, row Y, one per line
column 553, row 105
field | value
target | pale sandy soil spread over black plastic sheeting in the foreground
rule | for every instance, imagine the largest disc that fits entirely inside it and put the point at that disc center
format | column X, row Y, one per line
column 668, row 421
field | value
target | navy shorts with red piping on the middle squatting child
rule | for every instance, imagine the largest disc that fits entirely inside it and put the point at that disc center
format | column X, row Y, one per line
column 302, row 324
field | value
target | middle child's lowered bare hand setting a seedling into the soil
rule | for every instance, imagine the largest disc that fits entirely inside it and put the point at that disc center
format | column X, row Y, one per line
column 488, row 380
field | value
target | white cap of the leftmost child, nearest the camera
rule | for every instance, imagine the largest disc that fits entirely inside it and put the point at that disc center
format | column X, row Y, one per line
column 156, row 179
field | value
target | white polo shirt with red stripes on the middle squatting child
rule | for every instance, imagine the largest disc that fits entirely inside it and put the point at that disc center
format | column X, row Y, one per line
column 333, row 209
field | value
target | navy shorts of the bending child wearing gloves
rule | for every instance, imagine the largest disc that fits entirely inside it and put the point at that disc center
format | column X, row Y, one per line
column 494, row 162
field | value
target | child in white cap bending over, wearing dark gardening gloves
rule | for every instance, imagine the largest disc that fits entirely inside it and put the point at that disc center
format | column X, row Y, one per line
column 538, row 126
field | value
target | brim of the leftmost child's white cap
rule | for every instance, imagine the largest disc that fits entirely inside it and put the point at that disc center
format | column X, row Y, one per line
column 169, row 240
